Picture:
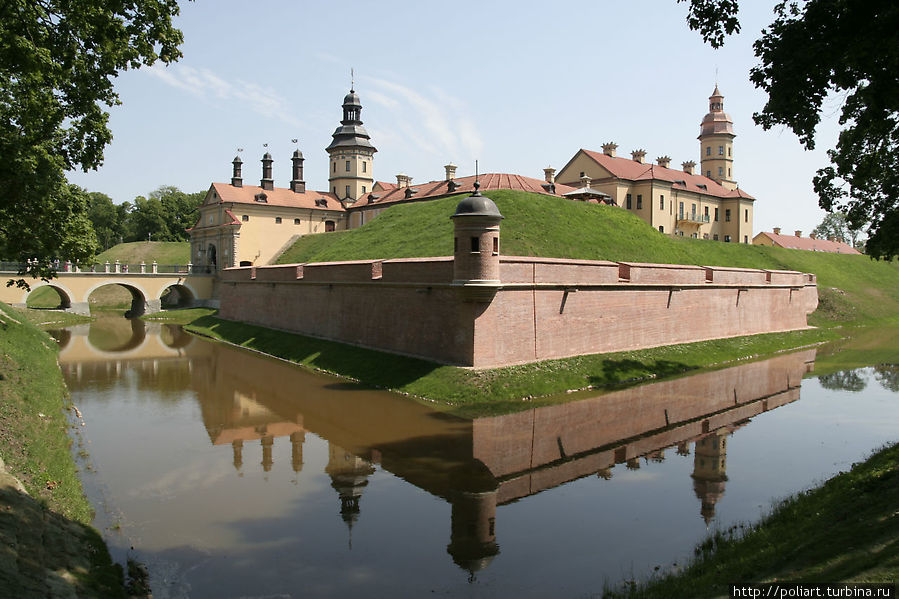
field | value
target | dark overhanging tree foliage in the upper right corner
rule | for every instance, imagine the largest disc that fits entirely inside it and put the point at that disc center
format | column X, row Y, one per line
column 817, row 51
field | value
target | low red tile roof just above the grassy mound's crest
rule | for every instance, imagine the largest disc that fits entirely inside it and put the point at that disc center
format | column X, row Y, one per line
column 435, row 189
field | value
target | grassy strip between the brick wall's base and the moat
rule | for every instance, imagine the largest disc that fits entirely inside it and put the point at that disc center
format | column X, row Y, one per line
column 479, row 392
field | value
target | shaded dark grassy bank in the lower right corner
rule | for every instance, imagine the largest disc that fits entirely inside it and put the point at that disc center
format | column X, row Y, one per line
column 846, row 530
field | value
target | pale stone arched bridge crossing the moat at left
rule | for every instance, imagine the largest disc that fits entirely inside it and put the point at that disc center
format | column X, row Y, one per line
column 147, row 288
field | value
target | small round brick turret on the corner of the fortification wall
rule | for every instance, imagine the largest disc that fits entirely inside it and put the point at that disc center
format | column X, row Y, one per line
column 476, row 247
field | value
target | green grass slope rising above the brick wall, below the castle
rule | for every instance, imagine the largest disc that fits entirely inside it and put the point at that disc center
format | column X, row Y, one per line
column 852, row 289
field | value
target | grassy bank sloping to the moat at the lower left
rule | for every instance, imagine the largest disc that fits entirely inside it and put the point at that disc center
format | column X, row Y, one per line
column 35, row 448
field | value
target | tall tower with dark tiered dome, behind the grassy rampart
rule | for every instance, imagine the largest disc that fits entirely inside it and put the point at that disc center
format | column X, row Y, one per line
column 351, row 152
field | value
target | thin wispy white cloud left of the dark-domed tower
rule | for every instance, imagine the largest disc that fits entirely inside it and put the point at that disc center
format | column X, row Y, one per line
column 206, row 85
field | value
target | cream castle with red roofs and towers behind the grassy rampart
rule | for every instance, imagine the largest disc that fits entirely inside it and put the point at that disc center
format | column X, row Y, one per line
column 250, row 225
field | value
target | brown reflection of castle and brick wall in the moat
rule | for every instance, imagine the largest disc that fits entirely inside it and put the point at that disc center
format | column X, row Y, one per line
column 474, row 465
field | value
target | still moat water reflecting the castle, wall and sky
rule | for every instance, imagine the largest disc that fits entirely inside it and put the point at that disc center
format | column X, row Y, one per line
column 234, row 475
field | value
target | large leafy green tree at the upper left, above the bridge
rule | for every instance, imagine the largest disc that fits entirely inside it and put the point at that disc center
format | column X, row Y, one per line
column 58, row 60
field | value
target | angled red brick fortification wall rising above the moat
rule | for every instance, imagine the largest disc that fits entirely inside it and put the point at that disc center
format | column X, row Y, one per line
column 543, row 308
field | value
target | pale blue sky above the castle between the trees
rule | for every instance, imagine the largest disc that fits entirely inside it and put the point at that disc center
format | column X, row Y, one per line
column 517, row 86
